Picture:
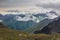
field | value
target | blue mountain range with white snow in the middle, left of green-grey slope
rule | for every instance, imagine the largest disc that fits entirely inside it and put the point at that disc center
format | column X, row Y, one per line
column 21, row 21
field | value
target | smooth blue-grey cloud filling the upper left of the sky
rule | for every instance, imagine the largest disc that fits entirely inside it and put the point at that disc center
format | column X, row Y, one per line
column 15, row 3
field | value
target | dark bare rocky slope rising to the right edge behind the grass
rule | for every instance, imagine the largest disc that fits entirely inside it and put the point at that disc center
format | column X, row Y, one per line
column 53, row 27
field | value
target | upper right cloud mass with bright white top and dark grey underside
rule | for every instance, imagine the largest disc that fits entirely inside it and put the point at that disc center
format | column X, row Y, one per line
column 49, row 4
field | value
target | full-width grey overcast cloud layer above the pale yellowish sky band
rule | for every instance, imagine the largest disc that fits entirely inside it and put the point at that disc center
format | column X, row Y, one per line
column 46, row 4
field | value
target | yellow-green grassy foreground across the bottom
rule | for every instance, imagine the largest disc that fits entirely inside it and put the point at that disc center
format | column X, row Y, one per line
column 7, row 34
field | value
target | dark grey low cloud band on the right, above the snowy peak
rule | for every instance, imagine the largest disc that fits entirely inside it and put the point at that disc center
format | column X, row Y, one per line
column 50, row 5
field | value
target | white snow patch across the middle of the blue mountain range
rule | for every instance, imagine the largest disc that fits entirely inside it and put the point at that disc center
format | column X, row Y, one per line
column 27, row 18
